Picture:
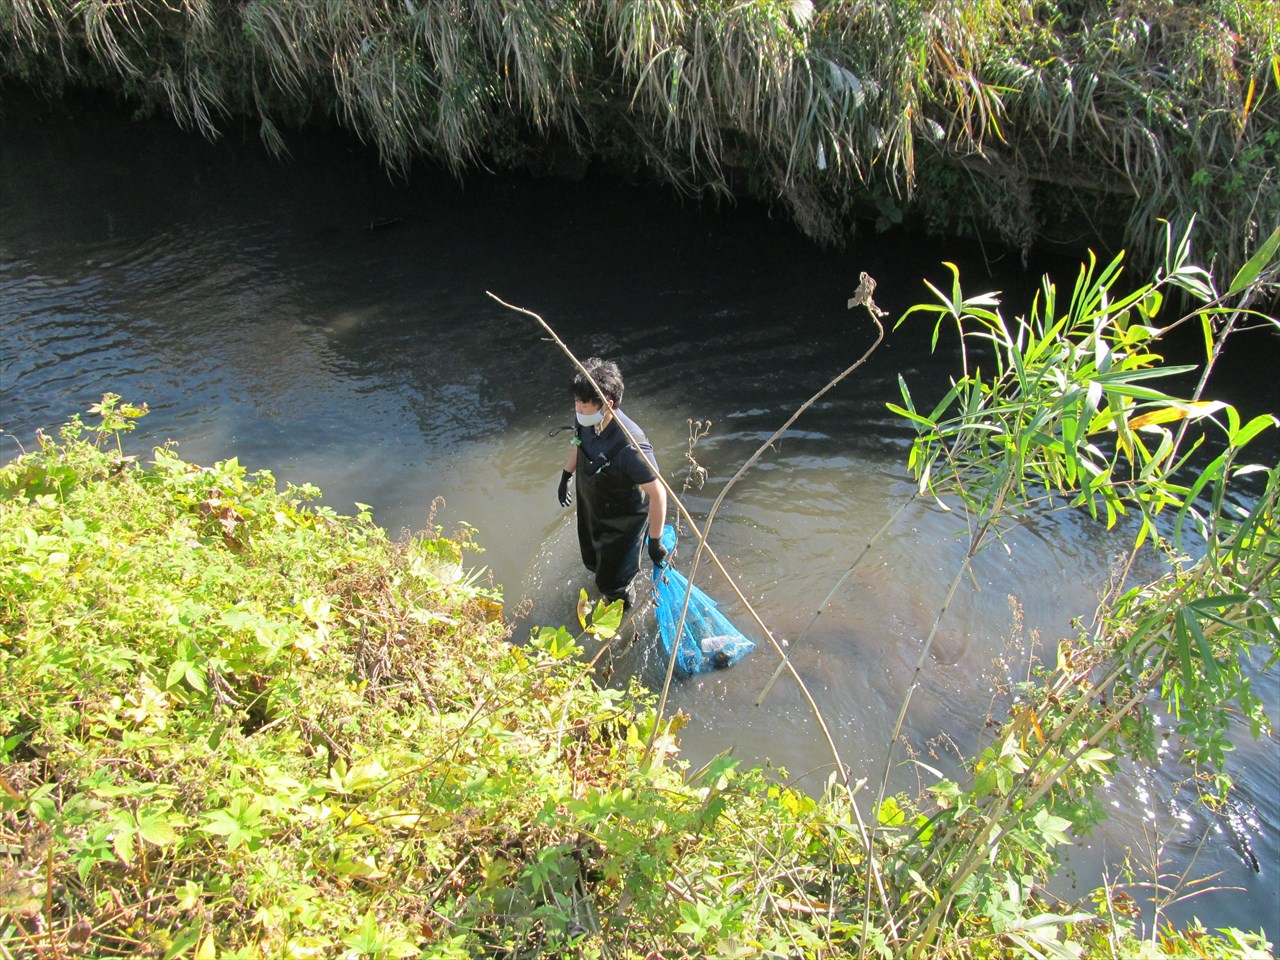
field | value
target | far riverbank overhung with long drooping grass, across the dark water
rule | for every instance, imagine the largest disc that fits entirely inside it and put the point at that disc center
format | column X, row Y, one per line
column 1012, row 124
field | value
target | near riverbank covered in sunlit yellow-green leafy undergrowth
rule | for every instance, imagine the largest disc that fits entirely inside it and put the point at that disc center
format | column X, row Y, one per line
column 236, row 726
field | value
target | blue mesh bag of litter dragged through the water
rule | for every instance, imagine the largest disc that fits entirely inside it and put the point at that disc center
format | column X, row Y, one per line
column 708, row 641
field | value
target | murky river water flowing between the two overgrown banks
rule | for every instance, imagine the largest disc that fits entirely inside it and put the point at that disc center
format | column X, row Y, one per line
column 322, row 322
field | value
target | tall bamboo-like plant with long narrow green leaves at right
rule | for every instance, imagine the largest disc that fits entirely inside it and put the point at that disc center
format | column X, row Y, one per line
column 1064, row 413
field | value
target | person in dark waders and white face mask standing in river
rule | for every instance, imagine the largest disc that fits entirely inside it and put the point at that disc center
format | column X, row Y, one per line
column 620, row 496
